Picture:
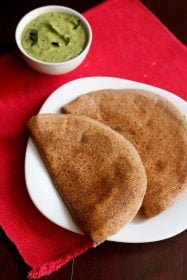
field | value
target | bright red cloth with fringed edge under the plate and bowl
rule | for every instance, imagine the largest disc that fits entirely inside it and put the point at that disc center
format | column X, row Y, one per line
column 128, row 42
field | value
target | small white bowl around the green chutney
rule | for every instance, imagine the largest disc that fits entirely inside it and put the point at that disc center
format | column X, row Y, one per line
column 52, row 68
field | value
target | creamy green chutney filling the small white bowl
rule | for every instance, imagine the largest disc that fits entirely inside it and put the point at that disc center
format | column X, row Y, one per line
column 54, row 37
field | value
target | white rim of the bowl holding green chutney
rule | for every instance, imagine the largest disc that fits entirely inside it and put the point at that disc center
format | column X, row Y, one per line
column 43, row 10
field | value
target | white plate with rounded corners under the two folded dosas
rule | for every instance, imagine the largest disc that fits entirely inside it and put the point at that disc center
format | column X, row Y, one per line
column 46, row 198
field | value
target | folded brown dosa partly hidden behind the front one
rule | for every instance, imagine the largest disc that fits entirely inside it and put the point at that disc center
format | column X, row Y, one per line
column 155, row 127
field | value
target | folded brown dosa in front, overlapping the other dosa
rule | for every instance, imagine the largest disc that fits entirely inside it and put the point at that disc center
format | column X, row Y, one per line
column 98, row 173
